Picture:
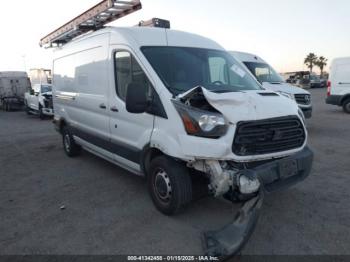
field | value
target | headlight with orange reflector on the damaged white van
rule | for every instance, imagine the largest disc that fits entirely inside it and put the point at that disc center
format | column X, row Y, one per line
column 201, row 123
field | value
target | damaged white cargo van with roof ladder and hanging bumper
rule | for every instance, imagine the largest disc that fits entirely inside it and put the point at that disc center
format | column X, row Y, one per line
column 170, row 105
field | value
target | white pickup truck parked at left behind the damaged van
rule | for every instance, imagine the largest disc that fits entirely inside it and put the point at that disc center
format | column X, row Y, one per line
column 39, row 100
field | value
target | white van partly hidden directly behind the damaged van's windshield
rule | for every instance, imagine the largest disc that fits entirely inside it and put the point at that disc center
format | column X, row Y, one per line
column 270, row 79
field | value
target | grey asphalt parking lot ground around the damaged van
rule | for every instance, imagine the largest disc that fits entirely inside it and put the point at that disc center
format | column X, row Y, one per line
column 52, row 204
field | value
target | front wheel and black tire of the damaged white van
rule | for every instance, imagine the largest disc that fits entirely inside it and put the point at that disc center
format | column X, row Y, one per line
column 169, row 184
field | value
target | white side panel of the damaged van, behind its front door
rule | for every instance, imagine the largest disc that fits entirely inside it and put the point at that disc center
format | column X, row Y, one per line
column 80, row 87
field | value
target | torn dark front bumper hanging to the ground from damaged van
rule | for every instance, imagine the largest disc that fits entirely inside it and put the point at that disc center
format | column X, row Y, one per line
column 276, row 175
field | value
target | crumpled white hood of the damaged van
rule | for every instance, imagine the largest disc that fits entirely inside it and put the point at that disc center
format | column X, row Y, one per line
column 247, row 105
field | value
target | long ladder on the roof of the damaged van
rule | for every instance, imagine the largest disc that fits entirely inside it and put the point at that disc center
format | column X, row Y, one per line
column 93, row 19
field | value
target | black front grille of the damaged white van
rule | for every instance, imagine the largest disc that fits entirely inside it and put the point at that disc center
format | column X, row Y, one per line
column 268, row 136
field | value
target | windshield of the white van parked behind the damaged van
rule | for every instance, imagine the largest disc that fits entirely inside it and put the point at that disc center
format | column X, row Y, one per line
column 263, row 72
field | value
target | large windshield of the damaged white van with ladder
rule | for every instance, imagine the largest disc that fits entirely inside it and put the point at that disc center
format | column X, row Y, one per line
column 182, row 68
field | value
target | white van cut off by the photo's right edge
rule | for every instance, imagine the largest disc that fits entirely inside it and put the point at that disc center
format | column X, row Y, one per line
column 338, row 92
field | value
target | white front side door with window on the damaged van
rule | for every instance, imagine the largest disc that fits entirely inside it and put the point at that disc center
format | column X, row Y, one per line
column 129, row 132
